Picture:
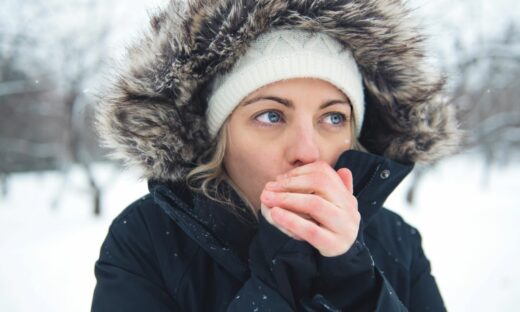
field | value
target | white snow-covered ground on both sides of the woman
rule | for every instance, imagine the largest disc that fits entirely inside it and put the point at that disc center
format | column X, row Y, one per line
column 468, row 221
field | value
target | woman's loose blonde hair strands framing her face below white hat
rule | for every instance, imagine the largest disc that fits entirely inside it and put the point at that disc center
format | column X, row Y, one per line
column 207, row 177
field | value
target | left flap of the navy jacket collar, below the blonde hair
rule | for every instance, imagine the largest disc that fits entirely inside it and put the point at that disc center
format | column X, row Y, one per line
column 220, row 233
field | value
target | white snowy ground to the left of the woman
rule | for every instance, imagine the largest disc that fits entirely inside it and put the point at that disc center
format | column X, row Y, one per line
column 48, row 252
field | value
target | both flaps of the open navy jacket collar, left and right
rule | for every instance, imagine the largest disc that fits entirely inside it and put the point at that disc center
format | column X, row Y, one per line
column 226, row 236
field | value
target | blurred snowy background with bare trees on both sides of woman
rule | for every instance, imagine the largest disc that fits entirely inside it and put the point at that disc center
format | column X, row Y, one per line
column 59, row 193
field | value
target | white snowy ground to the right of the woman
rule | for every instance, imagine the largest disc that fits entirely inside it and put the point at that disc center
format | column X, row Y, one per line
column 467, row 215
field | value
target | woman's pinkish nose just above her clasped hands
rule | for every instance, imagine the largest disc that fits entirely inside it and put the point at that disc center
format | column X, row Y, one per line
column 302, row 146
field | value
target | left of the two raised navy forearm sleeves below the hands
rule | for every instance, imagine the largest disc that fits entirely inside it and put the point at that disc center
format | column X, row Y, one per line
column 282, row 272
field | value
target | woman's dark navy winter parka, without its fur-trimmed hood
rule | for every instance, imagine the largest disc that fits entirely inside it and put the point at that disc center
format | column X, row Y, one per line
column 174, row 250
